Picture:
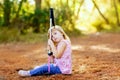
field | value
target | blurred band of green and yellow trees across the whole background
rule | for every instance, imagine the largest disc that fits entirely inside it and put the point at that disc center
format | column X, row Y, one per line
column 72, row 14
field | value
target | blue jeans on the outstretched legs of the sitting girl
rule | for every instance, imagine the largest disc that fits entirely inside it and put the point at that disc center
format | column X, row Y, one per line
column 44, row 70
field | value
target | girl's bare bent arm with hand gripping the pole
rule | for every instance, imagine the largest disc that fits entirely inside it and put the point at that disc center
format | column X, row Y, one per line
column 57, row 53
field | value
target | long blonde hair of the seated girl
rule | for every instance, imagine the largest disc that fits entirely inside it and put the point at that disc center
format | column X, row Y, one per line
column 59, row 28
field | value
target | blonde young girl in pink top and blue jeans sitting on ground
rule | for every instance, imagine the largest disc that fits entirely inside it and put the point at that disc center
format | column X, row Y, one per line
column 60, row 46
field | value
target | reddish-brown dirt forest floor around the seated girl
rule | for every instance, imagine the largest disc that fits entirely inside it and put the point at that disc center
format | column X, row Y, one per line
column 94, row 57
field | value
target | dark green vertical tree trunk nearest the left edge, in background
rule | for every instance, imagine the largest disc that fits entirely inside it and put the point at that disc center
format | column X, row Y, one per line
column 7, row 11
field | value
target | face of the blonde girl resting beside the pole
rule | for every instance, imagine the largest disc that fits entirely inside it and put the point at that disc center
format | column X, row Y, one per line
column 57, row 36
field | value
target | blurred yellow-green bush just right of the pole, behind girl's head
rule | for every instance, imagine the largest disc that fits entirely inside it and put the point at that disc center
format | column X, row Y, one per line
column 65, row 17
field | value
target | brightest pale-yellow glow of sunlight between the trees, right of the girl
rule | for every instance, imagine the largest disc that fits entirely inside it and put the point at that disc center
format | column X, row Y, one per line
column 86, row 14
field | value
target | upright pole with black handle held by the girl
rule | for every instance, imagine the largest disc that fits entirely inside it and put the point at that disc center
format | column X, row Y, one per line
column 52, row 24
